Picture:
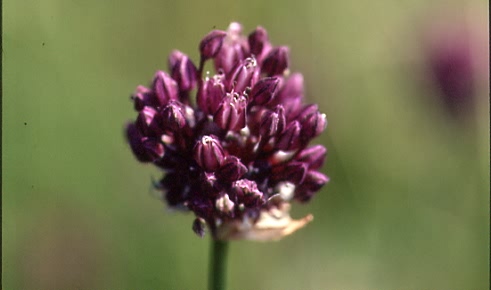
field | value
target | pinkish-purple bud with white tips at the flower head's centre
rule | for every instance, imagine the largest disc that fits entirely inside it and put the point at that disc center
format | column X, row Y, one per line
column 231, row 113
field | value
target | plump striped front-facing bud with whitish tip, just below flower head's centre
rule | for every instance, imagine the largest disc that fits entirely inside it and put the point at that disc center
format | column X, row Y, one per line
column 208, row 153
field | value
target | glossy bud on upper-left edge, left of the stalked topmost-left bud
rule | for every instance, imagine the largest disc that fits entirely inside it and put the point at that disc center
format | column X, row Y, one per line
column 182, row 70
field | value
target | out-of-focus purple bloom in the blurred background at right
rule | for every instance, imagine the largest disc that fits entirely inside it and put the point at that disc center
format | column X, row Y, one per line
column 456, row 61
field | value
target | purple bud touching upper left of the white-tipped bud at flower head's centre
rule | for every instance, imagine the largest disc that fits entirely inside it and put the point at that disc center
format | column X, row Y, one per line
column 210, row 95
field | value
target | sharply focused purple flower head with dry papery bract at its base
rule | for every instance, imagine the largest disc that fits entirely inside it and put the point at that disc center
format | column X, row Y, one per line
column 238, row 153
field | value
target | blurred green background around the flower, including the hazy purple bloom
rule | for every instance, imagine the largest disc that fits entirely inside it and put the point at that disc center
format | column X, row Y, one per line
column 404, row 84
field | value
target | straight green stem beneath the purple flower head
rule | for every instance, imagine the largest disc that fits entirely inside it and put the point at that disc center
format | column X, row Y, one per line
column 218, row 265
